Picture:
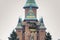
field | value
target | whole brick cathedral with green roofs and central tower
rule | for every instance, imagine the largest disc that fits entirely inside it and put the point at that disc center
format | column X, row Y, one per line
column 31, row 28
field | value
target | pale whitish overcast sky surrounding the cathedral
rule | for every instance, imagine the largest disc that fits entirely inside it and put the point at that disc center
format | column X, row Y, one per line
column 11, row 10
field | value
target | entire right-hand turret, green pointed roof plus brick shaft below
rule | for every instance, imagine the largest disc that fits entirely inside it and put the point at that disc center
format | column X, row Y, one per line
column 42, row 30
